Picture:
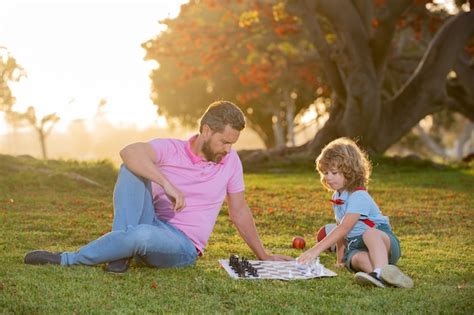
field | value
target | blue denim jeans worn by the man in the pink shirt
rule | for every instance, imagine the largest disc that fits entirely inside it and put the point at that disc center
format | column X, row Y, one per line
column 136, row 231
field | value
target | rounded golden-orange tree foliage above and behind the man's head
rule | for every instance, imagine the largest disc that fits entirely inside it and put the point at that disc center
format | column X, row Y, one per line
column 249, row 52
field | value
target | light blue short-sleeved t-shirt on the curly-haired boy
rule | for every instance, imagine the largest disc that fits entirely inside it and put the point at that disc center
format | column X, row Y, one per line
column 359, row 202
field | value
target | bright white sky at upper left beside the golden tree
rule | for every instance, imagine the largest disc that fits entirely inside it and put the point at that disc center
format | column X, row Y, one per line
column 76, row 53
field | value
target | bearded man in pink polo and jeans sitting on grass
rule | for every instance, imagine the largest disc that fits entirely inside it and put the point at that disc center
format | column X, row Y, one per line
column 167, row 198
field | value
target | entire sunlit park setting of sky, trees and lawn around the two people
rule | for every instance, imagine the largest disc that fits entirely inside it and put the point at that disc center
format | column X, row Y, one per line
column 82, row 79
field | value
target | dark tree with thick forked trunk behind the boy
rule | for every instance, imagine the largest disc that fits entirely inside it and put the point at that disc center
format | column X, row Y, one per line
column 365, row 32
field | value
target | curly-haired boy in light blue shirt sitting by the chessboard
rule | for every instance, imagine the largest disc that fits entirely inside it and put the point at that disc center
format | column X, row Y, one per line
column 372, row 249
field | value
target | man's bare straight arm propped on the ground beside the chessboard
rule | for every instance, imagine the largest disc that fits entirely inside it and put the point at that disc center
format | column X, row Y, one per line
column 243, row 220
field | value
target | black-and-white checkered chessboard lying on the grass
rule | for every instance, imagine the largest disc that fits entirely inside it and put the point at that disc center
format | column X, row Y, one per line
column 279, row 270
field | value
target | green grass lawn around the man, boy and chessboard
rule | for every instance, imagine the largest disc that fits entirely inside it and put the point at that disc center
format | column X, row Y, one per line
column 42, row 207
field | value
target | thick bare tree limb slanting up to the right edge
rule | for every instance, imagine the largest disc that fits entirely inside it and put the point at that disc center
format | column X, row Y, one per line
column 424, row 92
